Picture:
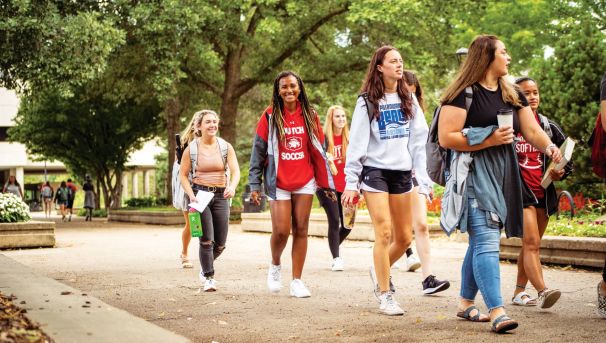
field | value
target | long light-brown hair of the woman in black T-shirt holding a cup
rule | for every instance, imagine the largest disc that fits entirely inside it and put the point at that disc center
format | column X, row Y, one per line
column 481, row 54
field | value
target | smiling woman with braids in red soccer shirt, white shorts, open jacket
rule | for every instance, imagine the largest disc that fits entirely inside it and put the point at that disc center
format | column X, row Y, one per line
column 287, row 152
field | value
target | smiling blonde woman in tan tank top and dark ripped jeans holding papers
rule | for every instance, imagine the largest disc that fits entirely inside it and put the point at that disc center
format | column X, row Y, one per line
column 205, row 166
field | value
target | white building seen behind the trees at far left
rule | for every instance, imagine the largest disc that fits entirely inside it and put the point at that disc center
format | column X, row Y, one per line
column 14, row 159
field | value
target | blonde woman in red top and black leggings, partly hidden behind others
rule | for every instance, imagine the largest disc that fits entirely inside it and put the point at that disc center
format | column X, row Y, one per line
column 337, row 138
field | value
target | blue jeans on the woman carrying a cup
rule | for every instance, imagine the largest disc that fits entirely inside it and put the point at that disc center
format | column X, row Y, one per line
column 480, row 269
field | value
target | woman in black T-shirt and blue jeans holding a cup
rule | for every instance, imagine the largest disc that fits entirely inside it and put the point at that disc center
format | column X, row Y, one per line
column 491, row 190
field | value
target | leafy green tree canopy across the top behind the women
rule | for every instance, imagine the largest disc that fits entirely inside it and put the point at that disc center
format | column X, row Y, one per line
column 223, row 55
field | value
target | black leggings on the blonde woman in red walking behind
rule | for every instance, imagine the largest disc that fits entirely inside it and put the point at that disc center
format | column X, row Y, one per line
column 334, row 212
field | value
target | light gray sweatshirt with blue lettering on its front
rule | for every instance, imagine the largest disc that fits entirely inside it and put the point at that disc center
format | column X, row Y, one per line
column 392, row 142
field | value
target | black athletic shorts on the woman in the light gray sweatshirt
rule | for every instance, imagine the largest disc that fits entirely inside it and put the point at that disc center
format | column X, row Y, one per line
column 384, row 180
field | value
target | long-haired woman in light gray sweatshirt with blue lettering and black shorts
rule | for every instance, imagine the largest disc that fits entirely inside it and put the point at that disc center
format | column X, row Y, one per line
column 390, row 132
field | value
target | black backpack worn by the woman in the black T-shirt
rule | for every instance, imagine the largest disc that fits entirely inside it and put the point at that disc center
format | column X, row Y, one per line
column 438, row 158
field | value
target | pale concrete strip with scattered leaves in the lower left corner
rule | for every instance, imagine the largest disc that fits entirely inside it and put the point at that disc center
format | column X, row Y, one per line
column 69, row 315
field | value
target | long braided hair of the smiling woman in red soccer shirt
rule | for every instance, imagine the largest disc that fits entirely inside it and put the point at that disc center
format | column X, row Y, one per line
column 277, row 107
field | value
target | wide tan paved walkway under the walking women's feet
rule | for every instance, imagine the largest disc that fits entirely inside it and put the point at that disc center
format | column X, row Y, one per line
column 136, row 268
